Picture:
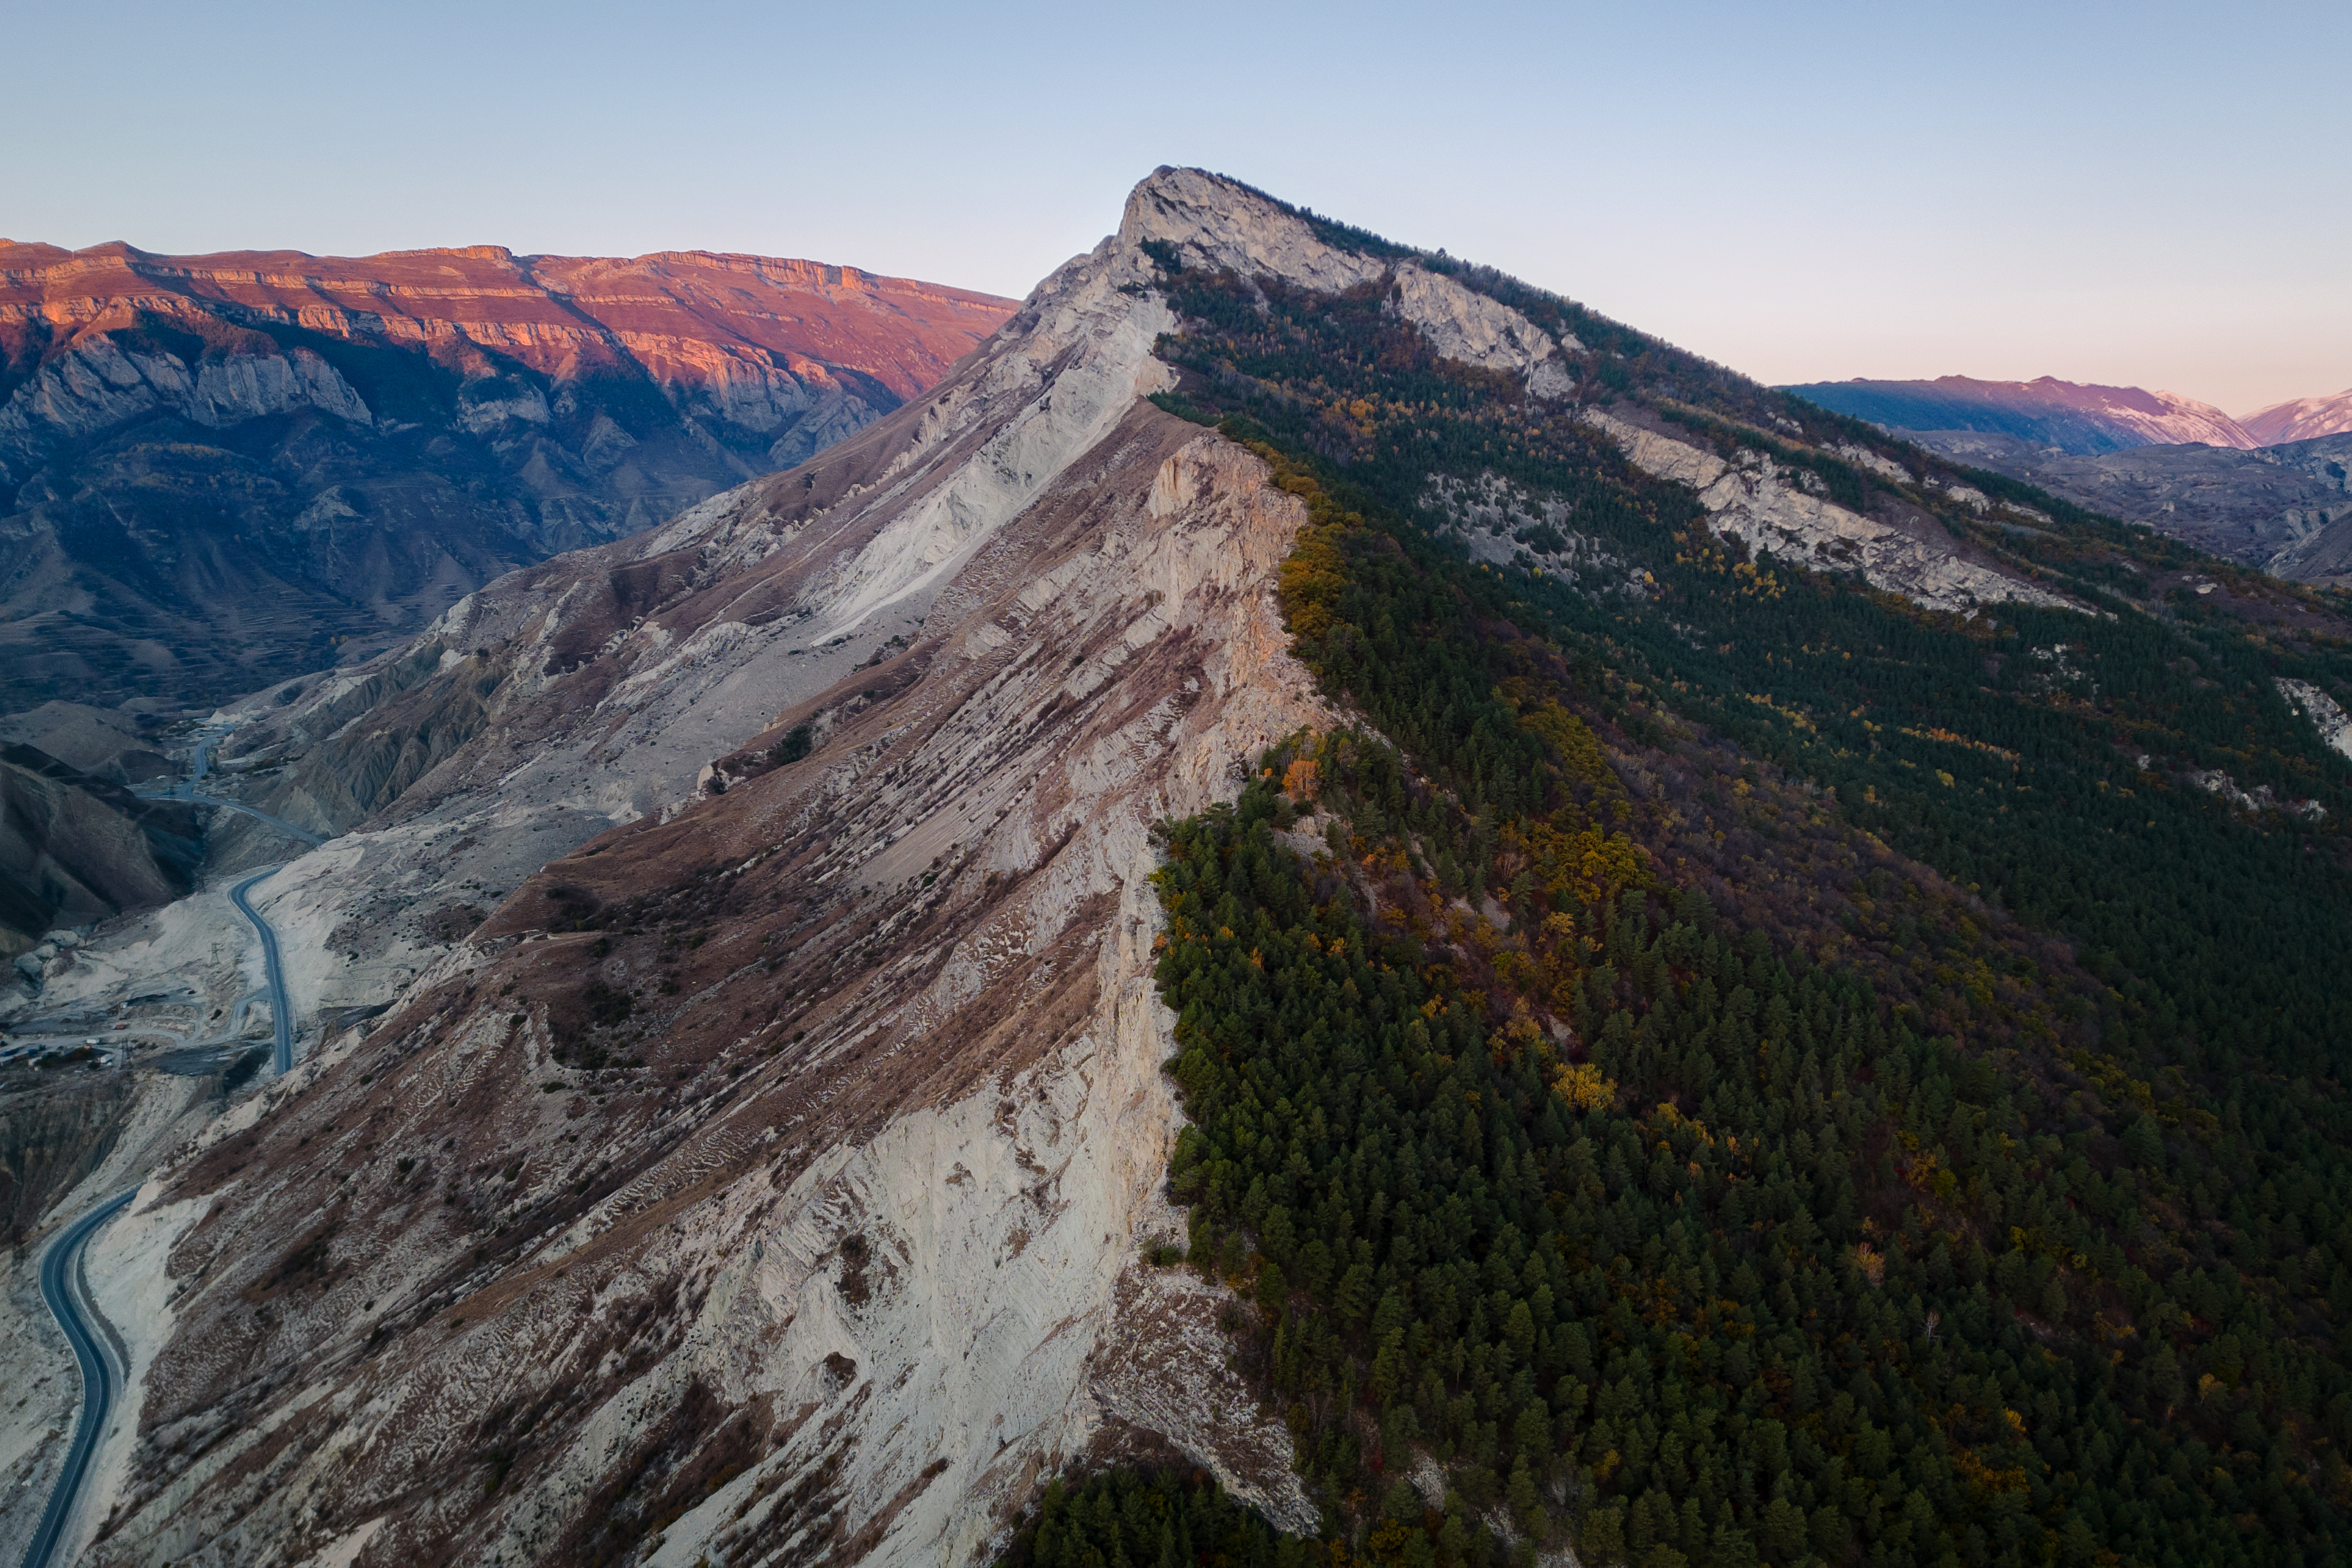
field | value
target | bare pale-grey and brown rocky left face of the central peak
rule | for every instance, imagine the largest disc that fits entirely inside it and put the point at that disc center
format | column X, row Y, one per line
column 766, row 1177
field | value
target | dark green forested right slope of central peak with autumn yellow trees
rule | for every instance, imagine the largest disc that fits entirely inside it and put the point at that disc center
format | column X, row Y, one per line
column 1735, row 1066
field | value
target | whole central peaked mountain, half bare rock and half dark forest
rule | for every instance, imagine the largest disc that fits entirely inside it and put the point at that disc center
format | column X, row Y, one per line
column 1318, row 911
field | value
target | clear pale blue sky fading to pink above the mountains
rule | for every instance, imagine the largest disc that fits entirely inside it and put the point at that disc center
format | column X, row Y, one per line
column 2123, row 194
